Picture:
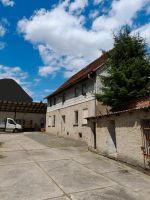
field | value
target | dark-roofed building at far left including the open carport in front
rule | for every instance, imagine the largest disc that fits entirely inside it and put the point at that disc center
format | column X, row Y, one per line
column 15, row 103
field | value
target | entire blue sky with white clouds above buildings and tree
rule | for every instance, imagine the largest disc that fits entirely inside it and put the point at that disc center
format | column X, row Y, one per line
column 43, row 42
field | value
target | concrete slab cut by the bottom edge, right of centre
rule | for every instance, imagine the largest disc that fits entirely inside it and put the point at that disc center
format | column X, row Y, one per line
column 113, row 193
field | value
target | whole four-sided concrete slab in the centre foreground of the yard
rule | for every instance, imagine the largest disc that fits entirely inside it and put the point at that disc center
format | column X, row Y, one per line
column 73, row 177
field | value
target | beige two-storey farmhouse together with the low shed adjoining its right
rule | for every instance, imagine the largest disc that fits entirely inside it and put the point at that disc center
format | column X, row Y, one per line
column 74, row 112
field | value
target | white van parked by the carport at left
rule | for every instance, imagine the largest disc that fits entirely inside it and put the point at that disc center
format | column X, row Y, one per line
column 9, row 124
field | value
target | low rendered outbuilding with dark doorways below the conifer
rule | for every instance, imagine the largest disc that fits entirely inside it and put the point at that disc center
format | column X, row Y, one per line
column 124, row 135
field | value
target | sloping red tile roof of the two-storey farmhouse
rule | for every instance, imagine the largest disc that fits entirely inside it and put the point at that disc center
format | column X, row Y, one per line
column 83, row 73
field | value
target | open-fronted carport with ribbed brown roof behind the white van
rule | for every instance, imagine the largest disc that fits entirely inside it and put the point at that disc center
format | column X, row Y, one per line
column 30, row 115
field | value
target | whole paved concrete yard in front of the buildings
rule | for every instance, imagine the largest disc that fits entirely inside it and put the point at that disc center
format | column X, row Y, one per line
column 36, row 166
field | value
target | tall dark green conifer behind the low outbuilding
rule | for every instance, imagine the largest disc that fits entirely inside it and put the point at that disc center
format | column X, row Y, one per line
column 128, row 67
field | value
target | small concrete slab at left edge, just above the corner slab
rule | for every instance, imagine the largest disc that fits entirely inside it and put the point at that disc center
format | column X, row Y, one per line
column 14, row 157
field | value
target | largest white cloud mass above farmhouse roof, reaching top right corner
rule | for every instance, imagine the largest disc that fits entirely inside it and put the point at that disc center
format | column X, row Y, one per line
column 62, row 39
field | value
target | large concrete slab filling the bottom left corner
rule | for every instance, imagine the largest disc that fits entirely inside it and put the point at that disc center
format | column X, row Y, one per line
column 26, row 182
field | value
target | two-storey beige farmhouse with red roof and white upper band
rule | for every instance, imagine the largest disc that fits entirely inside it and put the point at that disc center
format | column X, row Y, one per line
column 74, row 101
